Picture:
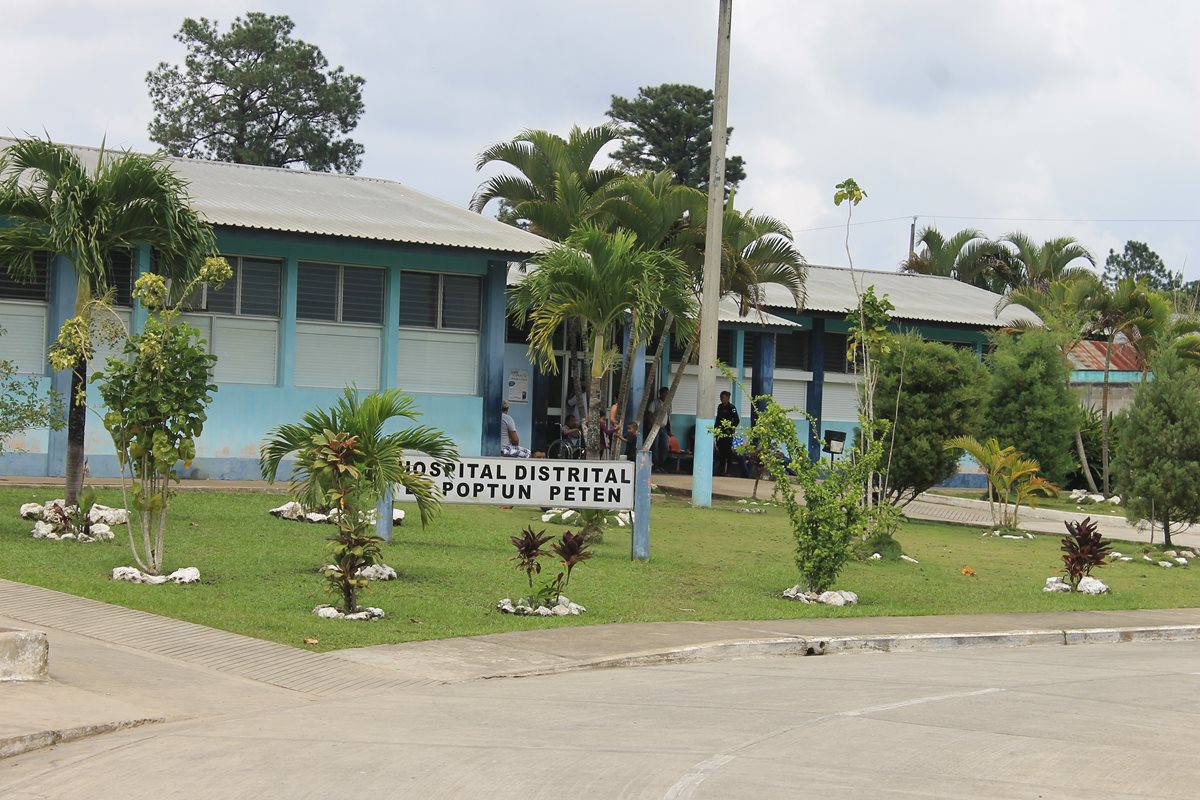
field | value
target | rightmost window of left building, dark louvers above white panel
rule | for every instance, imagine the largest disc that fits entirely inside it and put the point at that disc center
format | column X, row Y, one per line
column 441, row 317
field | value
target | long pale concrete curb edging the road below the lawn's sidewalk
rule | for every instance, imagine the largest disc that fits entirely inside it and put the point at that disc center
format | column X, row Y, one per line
column 734, row 651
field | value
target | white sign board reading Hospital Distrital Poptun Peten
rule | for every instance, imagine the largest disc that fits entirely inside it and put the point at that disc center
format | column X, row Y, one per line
column 529, row 482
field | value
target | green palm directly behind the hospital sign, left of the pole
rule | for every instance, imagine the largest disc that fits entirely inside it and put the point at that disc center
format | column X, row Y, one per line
column 596, row 279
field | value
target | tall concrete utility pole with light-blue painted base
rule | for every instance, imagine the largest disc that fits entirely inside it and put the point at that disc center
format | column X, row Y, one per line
column 711, row 293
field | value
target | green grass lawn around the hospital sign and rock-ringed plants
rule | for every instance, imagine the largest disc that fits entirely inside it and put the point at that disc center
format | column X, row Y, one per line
column 260, row 573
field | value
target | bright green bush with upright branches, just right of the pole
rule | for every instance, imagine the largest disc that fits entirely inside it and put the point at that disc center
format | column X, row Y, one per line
column 835, row 513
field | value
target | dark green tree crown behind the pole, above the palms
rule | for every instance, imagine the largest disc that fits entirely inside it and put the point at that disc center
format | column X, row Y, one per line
column 670, row 128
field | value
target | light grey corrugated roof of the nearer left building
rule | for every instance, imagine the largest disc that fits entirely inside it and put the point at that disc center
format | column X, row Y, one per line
column 328, row 204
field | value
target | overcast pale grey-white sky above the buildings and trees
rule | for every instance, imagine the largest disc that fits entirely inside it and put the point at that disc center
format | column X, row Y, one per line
column 1055, row 118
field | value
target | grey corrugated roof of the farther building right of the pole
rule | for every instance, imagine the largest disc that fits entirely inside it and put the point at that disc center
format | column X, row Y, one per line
column 917, row 298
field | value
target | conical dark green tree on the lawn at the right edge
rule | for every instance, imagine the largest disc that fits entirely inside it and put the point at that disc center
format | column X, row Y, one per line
column 1157, row 462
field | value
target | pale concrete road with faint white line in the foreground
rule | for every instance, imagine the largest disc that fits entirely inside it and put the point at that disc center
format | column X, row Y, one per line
column 1094, row 721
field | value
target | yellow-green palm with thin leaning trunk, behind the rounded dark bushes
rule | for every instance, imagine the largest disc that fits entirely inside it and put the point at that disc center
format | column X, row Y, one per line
column 1067, row 310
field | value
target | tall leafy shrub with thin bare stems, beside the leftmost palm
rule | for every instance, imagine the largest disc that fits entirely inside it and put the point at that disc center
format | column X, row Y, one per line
column 157, row 394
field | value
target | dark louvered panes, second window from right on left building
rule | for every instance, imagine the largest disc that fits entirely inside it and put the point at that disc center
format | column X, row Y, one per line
column 340, row 294
